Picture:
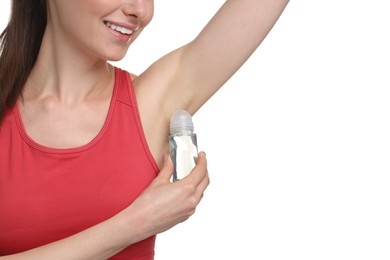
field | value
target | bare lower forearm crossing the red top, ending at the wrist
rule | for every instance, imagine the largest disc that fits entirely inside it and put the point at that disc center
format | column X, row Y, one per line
column 98, row 242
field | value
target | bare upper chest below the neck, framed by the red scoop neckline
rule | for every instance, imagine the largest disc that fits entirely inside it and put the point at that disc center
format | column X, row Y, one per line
column 63, row 125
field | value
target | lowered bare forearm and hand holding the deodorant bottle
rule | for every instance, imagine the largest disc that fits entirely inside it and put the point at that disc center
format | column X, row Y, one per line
column 161, row 206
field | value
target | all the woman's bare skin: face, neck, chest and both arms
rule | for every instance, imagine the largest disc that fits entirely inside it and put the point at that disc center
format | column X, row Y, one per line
column 72, row 79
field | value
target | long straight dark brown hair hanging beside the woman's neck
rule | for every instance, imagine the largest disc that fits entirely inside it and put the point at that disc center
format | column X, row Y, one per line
column 19, row 47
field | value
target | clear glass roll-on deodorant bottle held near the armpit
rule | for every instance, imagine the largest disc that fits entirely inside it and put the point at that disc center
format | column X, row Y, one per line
column 182, row 144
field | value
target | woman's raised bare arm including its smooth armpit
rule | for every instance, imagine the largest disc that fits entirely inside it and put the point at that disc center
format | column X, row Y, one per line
column 197, row 70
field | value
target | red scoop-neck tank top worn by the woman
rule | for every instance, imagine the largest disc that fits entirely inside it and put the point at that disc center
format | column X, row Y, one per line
column 48, row 194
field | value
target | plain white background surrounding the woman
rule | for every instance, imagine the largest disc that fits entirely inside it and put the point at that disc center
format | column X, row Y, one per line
column 298, row 141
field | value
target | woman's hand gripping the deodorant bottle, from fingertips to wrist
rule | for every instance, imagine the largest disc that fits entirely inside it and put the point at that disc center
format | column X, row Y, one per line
column 164, row 204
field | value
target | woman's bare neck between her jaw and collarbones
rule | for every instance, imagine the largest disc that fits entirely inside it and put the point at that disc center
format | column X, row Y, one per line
column 67, row 73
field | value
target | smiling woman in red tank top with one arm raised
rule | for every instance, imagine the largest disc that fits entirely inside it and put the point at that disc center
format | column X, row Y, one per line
column 81, row 141
